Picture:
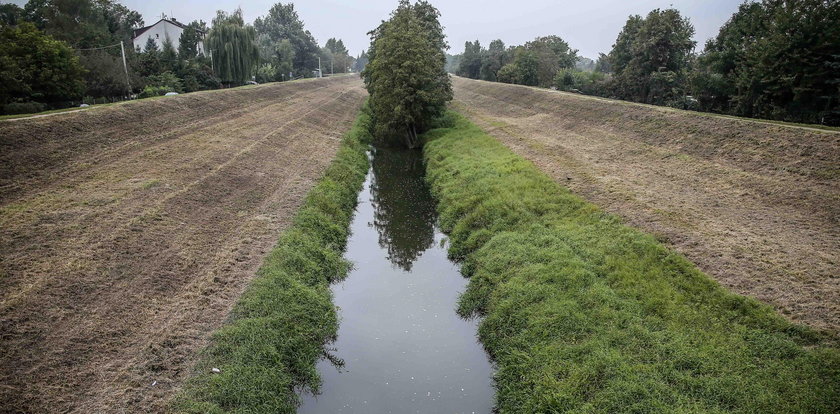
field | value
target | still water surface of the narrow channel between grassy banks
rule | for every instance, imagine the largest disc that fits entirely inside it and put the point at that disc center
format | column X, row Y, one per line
column 404, row 348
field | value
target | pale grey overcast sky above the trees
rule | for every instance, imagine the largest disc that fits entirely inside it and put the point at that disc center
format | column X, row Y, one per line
column 588, row 25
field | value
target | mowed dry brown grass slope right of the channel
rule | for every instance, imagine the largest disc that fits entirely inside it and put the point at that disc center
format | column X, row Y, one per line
column 755, row 205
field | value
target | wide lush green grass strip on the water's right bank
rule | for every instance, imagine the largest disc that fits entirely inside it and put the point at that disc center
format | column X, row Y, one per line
column 583, row 314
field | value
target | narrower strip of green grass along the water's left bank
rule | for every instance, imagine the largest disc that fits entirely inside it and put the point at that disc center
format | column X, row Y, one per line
column 278, row 328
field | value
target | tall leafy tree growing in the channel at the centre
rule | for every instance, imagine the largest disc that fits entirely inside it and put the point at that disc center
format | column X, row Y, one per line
column 406, row 75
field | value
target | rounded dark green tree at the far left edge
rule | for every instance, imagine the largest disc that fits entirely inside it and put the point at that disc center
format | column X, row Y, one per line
column 35, row 66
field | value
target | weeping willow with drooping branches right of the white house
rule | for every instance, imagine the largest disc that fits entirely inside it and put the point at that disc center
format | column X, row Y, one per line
column 233, row 47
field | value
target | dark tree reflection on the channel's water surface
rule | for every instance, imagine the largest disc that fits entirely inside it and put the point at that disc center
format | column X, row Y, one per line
column 404, row 212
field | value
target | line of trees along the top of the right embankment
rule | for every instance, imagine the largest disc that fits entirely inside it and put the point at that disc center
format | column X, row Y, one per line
column 773, row 59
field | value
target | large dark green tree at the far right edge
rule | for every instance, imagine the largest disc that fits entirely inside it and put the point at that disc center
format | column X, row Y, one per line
column 775, row 59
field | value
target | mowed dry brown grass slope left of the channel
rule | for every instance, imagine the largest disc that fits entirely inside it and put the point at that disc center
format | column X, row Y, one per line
column 127, row 233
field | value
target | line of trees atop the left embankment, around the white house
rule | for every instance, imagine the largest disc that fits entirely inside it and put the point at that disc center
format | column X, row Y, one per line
column 58, row 53
